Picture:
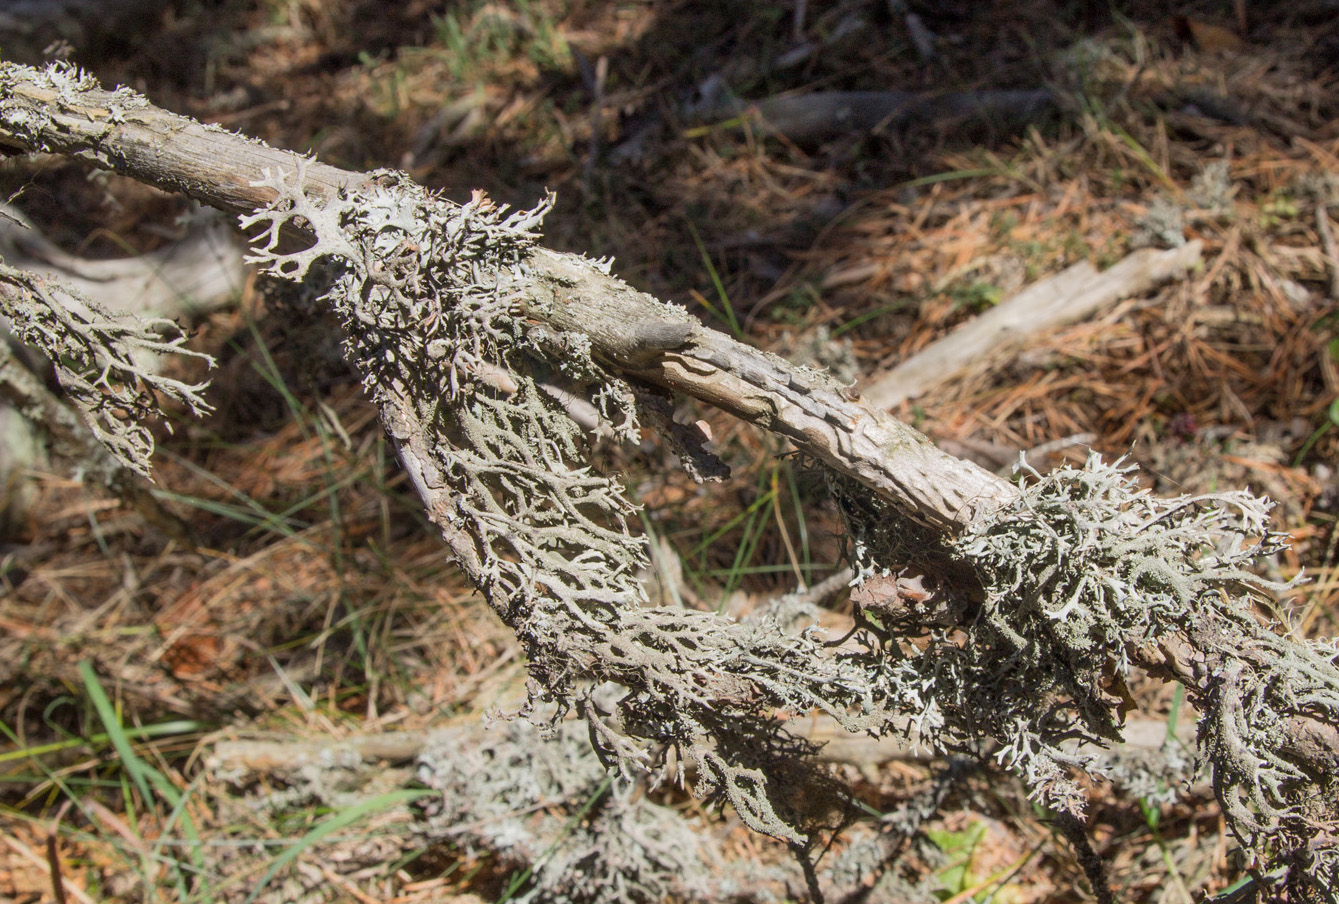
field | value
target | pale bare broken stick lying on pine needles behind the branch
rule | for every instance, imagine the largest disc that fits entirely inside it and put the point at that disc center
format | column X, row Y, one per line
column 1067, row 298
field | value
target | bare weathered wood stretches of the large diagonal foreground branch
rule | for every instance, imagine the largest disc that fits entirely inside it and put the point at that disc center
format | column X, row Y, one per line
column 627, row 329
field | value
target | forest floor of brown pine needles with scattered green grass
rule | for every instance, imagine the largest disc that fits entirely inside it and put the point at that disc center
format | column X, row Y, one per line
column 318, row 602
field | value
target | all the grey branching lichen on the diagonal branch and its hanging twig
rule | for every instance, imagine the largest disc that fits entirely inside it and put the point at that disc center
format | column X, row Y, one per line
column 1071, row 581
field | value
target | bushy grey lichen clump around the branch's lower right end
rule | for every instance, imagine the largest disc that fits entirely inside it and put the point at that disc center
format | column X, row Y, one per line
column 1079, row 575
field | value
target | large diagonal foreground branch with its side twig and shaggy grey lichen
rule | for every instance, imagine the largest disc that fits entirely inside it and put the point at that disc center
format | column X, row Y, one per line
column 1045, row 597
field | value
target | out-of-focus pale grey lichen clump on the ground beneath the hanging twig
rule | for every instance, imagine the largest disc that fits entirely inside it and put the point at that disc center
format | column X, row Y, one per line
column 548, row 807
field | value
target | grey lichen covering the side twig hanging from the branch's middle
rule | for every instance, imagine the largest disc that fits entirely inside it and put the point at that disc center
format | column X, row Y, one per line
column 426, row 291
